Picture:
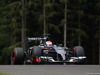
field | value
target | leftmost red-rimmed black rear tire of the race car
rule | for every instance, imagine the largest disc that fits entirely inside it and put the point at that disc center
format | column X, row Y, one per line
column 17, row 57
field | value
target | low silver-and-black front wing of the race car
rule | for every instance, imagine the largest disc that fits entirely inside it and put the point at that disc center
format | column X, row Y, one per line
column 80, row 59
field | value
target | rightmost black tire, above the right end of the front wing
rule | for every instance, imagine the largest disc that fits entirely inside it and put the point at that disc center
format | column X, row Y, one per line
column 78, row 51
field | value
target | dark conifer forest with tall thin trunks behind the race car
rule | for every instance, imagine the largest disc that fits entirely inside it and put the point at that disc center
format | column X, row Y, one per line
column 75, row 21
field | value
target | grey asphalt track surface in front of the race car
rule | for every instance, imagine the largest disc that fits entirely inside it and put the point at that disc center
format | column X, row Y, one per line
column 51, row 69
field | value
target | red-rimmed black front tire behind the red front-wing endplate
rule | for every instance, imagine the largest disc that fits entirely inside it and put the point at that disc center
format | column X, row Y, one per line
column 36, row 53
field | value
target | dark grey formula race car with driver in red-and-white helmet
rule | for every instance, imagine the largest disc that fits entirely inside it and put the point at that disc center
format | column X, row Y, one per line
column 46, row 52
